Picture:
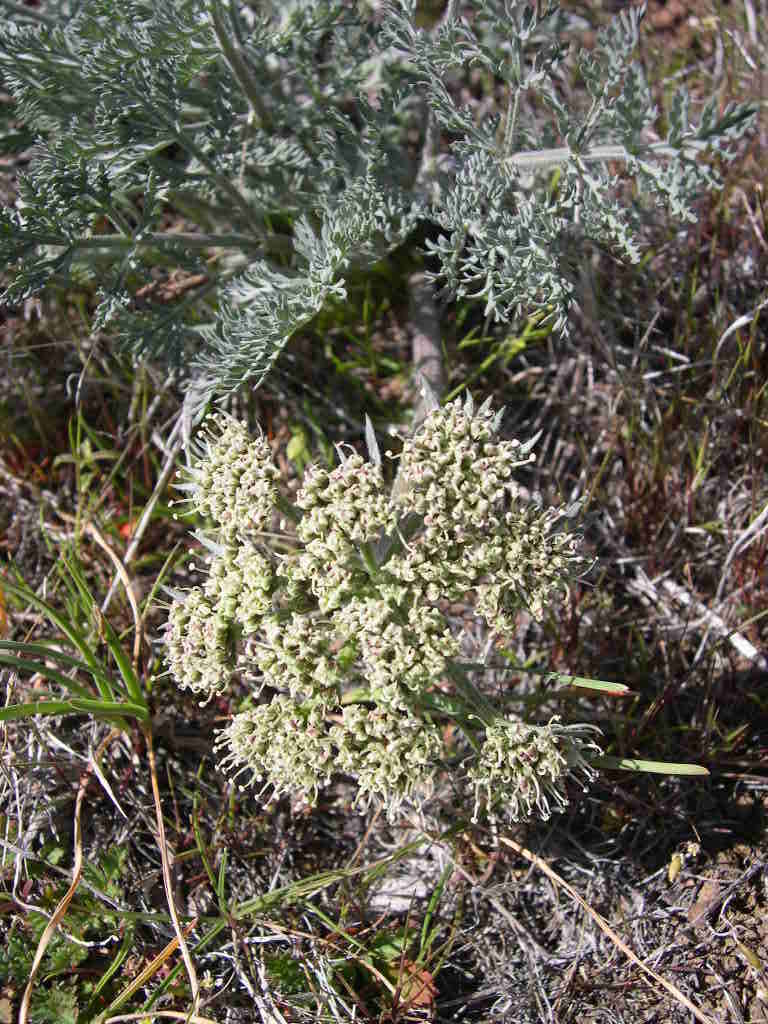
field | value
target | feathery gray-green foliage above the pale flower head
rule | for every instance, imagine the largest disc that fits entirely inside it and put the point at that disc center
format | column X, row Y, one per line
column 303, row 140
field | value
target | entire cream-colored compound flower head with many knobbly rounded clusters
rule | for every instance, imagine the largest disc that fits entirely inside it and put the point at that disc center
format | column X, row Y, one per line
column 344, row 625
